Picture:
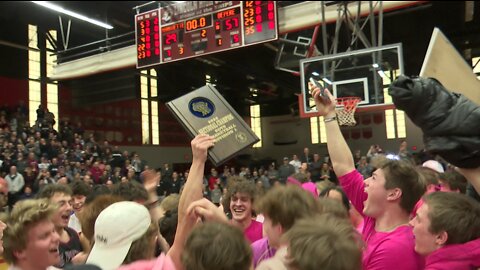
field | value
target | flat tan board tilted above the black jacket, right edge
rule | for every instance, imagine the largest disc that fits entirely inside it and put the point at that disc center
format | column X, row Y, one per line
column 444, row 63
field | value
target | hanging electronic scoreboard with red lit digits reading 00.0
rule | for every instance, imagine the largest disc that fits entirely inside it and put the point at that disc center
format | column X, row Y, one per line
column 194, row 28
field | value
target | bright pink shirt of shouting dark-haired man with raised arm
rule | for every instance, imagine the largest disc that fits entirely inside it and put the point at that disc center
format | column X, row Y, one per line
column 384, row 250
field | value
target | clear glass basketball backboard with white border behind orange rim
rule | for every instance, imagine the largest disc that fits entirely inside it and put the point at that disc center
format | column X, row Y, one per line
column 363, row 73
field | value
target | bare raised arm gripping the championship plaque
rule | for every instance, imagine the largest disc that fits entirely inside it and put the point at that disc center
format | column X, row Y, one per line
column 191, row 192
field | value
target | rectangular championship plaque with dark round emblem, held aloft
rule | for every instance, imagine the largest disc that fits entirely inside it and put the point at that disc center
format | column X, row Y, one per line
column 205, row 111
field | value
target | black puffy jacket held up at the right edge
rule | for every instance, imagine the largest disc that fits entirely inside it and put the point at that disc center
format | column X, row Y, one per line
column 450, row 122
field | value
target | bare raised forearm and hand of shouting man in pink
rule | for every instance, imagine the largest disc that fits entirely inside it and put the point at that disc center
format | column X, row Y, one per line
column 340, row 154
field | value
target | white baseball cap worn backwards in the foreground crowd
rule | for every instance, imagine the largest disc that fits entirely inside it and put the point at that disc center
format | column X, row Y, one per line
column 116, row 228
